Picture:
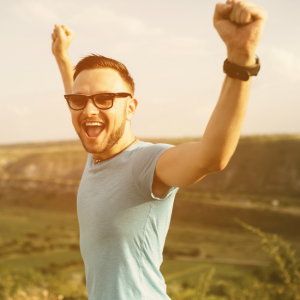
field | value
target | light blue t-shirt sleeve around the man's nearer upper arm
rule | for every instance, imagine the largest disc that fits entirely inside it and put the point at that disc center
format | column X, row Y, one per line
column 143, row 167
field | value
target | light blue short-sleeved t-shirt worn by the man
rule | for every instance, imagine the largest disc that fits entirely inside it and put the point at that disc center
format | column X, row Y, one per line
column 123, row 226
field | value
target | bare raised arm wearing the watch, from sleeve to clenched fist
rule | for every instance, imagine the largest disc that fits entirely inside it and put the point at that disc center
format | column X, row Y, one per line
column 240, row 25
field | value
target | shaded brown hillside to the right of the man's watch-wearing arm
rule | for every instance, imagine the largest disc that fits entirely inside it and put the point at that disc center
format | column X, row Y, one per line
column 263, row 166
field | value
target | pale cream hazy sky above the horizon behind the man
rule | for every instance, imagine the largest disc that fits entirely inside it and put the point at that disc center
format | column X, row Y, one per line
column 172, row 51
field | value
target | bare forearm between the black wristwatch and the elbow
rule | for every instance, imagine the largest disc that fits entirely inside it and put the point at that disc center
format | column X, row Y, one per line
column 224, row 128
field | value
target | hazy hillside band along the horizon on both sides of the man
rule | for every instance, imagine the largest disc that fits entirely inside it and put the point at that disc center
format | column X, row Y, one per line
column 262, row 165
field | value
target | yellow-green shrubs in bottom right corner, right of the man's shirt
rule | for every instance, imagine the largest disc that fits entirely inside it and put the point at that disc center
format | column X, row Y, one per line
column 281, row 283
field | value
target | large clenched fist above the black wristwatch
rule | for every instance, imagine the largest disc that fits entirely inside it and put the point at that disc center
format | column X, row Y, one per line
column 240, row 24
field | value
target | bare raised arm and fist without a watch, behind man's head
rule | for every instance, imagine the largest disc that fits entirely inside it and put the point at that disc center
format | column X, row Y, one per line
column 62, row 37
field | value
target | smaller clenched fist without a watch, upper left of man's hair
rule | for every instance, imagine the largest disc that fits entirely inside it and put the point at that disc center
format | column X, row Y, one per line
column 62, row 37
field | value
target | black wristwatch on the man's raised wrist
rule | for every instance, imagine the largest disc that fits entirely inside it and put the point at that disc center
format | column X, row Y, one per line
column 241, row 73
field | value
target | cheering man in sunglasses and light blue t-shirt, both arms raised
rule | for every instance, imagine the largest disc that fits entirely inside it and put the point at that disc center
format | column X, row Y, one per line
column 128, row 187
